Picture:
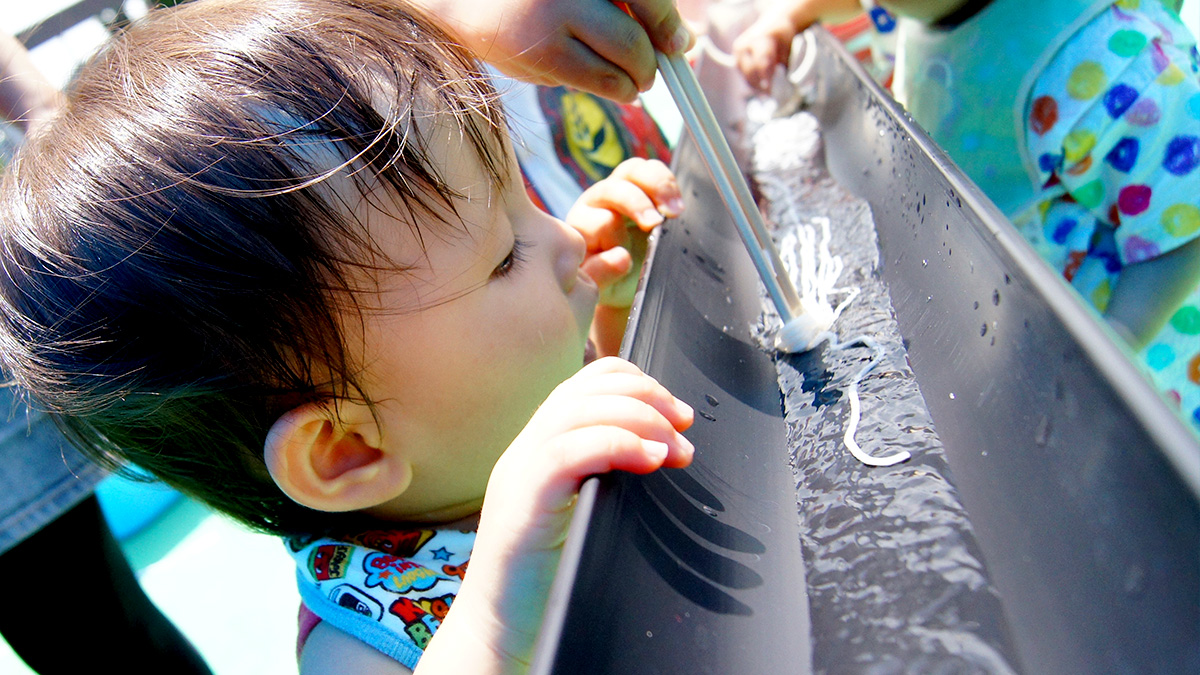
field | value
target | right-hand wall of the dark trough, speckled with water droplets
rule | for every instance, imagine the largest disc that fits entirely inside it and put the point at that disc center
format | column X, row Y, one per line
column 1082, row 486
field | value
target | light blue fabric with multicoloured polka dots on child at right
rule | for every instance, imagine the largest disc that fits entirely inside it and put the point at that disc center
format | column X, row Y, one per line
column 1114, row 128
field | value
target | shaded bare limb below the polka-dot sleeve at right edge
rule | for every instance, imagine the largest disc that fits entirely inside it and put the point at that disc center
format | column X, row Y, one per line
column 1149, row 292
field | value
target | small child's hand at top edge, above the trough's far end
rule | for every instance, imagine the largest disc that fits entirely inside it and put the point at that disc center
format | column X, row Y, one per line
column 767, row 44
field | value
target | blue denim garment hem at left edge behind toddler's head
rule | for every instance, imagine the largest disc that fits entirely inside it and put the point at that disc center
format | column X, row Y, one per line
column 41, row 475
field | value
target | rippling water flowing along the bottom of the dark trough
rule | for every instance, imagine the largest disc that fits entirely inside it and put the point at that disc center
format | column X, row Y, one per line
column 897, row 581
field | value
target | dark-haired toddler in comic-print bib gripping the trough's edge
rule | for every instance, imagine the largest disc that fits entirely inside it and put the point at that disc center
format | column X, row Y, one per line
column 281, row 255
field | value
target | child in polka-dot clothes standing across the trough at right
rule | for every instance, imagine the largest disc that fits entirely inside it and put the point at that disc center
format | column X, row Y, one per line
column 1081, row 120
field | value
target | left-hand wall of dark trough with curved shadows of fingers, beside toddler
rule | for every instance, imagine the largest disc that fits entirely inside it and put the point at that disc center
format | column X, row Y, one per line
column 694, row 571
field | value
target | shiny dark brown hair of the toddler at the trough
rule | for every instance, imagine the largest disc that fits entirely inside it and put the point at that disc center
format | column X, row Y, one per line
column 178, row 268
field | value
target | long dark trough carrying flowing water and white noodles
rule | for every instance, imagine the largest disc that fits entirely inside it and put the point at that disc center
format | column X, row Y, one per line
column 1070, row 491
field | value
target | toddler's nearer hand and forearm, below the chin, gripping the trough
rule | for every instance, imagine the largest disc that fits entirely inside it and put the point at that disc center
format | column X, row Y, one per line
column 608, row 417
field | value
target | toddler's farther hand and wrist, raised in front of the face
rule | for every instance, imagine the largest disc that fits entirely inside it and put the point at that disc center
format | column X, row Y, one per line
column 638, row 192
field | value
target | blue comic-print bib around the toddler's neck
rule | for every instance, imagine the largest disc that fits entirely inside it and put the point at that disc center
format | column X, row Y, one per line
column 388, row 588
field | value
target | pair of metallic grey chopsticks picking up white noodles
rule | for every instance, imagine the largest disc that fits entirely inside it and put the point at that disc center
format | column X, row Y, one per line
column 698, row 117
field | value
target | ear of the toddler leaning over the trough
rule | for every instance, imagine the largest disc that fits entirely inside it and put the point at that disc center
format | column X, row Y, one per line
column 332, row 459
